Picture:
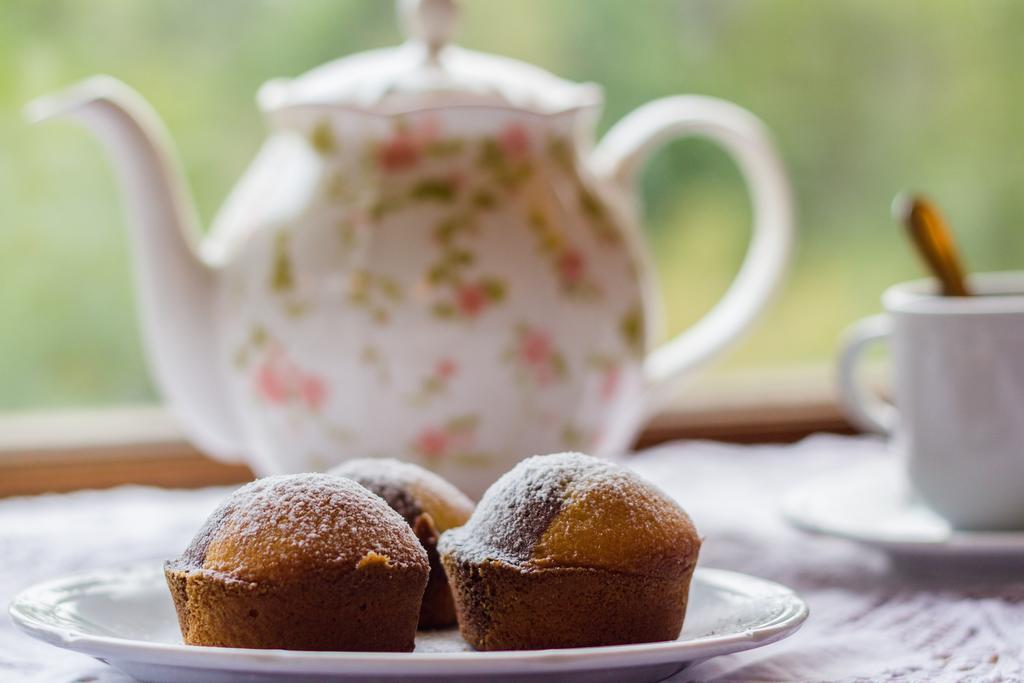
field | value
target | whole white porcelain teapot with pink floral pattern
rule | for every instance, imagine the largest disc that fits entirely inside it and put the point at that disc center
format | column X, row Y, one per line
column 429, row 260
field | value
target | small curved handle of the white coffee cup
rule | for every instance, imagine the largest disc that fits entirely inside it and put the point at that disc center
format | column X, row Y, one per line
column 864, row 408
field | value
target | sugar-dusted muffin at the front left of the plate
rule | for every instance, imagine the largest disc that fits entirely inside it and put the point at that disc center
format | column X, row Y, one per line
column 303, row 563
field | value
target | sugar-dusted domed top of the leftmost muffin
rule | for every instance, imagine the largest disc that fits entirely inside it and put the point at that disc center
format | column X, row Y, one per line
column 280, row 528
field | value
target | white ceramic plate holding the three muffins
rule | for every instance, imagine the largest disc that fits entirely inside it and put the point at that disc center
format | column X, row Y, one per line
column 125, row 617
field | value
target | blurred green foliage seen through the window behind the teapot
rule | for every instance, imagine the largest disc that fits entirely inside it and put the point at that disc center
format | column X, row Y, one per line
column 866, row 98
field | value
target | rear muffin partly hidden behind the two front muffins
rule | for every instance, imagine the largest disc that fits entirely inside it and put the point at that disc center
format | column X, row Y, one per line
column 431, row 505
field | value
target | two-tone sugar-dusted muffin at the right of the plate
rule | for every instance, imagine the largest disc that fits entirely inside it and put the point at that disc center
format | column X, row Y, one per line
column 571, row 551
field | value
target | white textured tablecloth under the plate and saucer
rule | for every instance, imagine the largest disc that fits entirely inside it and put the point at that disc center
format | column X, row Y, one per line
column 868, row 622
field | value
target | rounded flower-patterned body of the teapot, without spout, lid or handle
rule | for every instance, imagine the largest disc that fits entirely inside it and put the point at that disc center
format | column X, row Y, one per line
column 431, row 261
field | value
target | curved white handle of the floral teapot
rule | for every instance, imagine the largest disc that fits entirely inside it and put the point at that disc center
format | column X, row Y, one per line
column 621, row 155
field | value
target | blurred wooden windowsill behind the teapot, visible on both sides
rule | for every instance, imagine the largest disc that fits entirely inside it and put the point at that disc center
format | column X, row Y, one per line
column 67, row 451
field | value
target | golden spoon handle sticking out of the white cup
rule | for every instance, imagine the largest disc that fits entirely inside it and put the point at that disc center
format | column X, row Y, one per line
column 933, row 240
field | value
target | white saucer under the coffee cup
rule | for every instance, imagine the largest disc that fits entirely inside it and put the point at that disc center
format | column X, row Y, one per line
column 872, row 505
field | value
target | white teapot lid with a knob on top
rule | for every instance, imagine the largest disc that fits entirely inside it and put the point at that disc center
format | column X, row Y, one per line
column 428, row 72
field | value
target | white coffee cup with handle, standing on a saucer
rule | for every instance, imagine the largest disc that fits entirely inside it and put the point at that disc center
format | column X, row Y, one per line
column 958, row 371
